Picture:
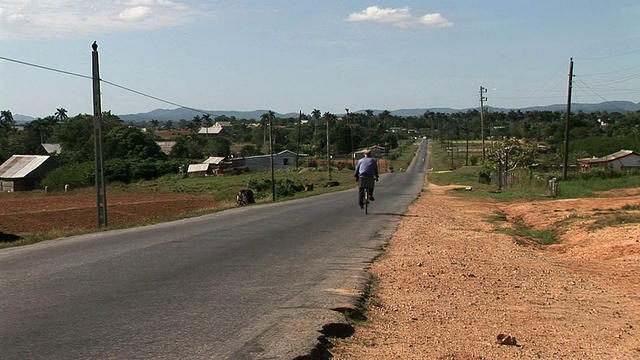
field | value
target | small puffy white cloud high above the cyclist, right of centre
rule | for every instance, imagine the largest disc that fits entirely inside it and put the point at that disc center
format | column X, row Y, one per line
column 400, row 17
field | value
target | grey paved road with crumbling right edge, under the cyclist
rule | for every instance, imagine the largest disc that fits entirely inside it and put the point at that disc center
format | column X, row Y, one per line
column 257, row 282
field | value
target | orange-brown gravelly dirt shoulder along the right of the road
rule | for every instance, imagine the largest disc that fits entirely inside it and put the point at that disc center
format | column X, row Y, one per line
column 449, row 284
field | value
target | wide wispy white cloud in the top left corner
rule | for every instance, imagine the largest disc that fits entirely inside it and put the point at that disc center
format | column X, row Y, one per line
column 67, row 18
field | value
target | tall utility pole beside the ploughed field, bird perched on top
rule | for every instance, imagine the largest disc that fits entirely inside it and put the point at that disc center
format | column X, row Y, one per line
column 101, row 197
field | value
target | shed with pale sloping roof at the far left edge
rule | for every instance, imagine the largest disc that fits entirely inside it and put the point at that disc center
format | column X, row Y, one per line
column 24, row 172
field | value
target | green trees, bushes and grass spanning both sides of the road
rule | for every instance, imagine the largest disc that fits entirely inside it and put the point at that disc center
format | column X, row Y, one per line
column 522, row 153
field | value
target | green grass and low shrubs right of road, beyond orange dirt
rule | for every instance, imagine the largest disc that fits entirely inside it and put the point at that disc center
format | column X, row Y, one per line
column 528, row 184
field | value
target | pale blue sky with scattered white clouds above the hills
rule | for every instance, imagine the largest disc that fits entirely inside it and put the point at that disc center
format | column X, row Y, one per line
column 301, row 55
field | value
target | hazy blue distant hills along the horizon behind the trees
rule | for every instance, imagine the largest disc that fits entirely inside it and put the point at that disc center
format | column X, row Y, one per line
column 188, row 114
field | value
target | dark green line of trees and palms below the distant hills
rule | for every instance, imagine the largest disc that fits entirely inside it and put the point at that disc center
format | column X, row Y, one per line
column 131, row 151
